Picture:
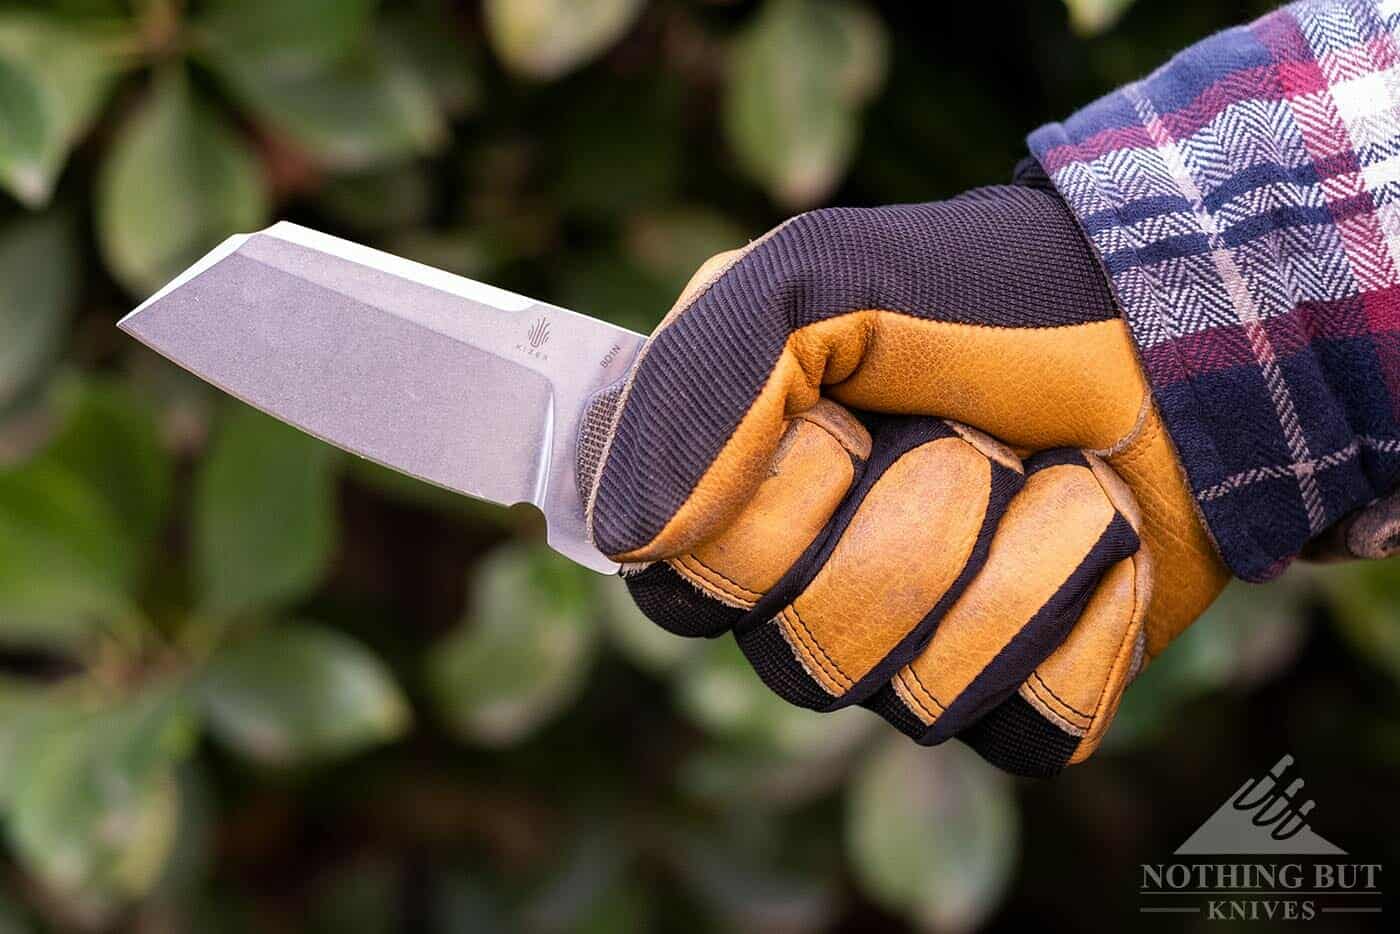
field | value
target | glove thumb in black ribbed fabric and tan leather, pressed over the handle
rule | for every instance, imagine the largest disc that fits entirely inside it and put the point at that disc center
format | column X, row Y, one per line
column 990, row 309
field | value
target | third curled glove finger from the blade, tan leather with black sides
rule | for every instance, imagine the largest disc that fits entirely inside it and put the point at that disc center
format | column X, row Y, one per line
column 1065, row 531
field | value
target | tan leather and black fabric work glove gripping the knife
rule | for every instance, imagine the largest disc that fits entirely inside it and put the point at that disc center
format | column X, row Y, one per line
column 789, row 461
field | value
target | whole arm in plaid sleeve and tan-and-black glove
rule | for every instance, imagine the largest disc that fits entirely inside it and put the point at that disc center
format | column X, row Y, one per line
column 1186, row 326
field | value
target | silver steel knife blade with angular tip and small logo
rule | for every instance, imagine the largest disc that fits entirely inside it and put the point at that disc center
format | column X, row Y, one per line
column 453, row 382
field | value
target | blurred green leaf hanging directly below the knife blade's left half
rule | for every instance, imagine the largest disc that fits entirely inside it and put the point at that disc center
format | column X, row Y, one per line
column 265, row 515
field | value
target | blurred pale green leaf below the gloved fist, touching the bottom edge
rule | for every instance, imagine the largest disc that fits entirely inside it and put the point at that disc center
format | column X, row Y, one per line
column 933, row 834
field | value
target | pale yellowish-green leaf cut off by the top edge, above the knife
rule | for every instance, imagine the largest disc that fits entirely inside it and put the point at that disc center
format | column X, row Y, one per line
column 547, row 39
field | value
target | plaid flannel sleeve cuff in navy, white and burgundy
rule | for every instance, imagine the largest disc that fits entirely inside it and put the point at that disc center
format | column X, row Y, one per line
column 1245, row 201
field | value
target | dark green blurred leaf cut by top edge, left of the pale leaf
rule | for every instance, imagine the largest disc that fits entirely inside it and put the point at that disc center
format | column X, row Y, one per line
column 288, row 36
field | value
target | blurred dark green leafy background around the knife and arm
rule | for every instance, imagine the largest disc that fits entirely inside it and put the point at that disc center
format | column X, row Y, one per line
column 250, row 684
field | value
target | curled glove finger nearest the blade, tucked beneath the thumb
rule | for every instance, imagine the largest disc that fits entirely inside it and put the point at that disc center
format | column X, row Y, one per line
column 705, row 592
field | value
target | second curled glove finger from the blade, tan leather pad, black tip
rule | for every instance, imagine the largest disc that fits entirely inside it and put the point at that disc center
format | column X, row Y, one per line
column 864, row 599
